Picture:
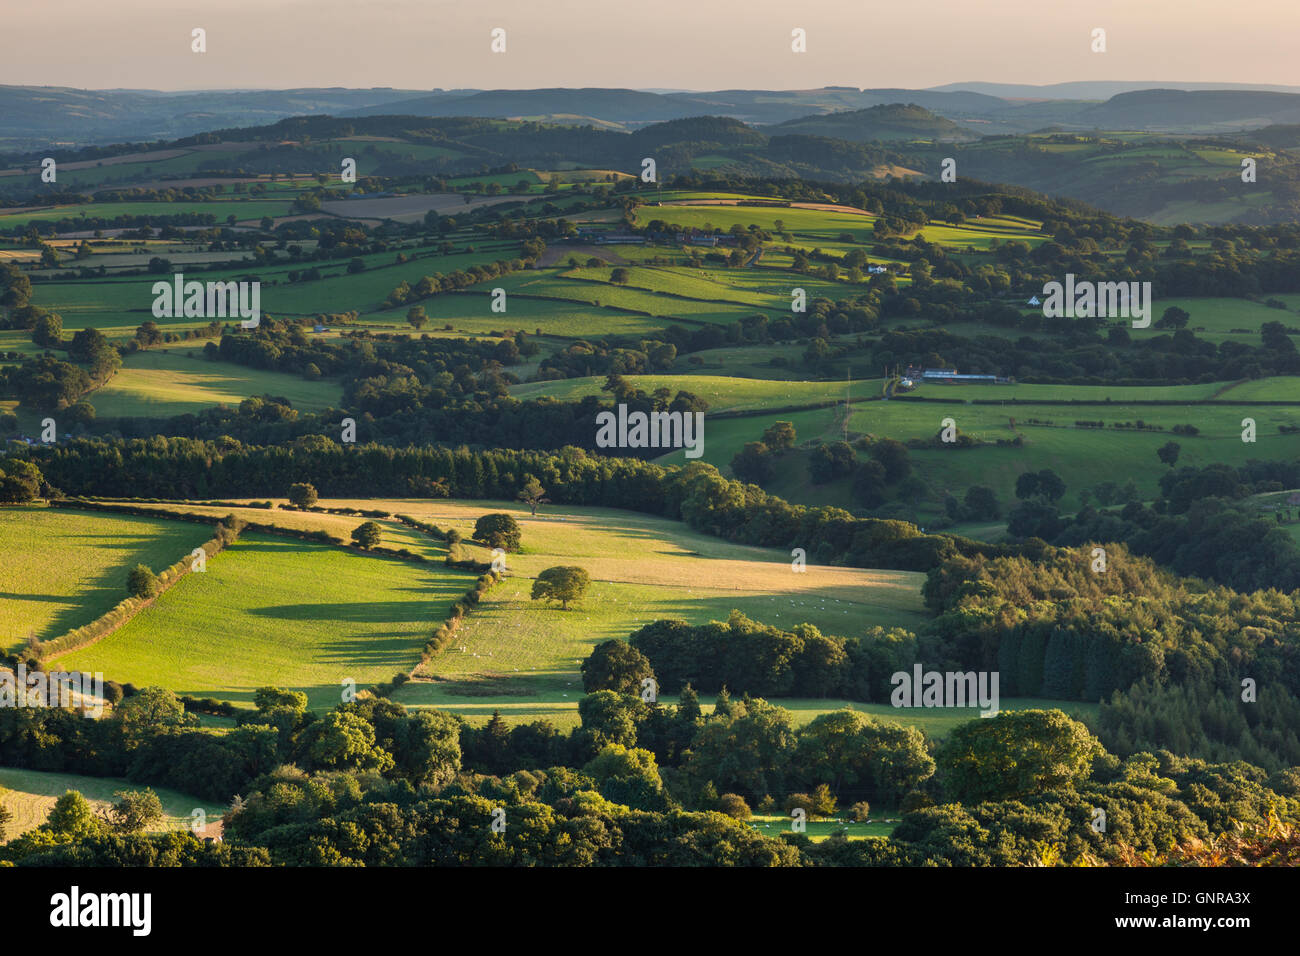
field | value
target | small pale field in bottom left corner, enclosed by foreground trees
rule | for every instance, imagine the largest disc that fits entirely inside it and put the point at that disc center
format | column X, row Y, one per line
column 29, row 795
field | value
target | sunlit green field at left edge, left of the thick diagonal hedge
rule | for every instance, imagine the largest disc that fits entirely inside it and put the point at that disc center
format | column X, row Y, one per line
column 64, row 569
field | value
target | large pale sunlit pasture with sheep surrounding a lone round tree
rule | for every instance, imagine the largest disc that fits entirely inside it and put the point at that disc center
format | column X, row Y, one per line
column 514, row 651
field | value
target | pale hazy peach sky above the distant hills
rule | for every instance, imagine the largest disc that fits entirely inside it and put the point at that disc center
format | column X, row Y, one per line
column 697, row 45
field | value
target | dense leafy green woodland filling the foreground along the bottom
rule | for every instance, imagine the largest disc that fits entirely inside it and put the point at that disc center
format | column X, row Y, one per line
column 635, row 785
